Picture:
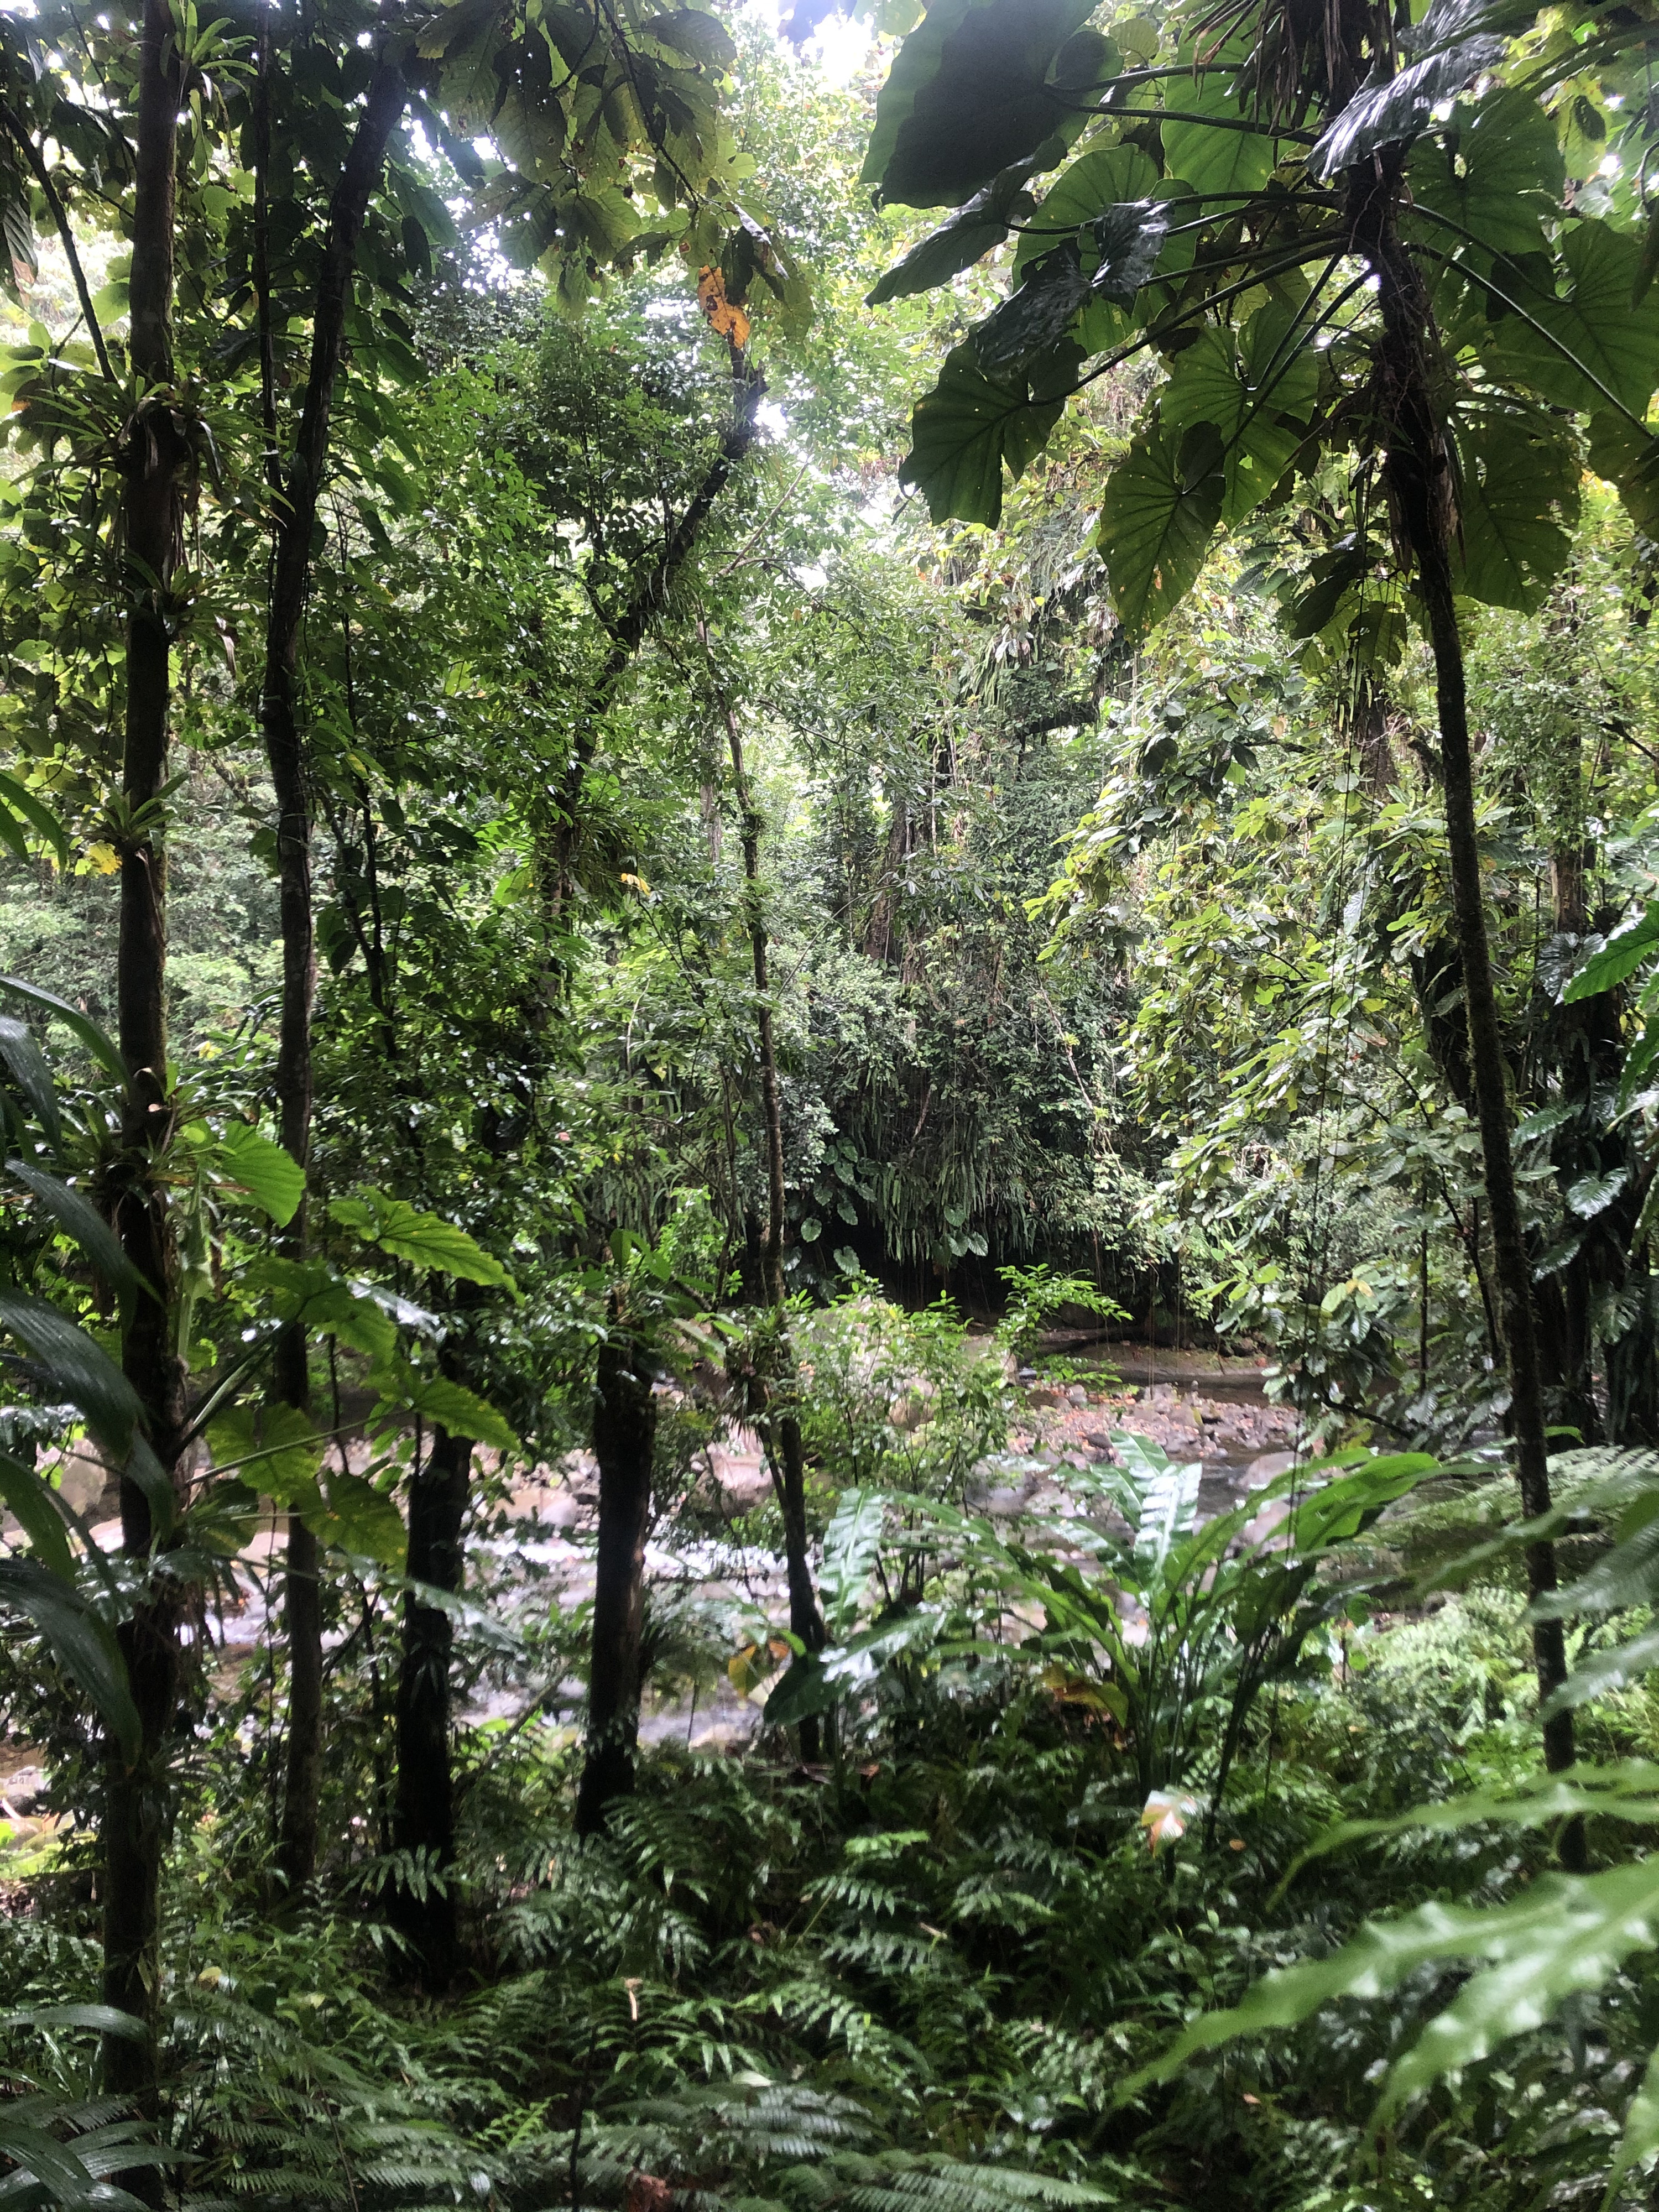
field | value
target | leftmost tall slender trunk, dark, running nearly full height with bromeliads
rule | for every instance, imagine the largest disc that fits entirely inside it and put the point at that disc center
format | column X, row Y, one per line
column 136, row 1806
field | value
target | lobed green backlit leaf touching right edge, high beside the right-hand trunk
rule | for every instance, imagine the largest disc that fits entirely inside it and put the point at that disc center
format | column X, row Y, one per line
column 1589, row 342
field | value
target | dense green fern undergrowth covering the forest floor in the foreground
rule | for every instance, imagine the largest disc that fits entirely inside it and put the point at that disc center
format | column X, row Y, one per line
column 915, row 1979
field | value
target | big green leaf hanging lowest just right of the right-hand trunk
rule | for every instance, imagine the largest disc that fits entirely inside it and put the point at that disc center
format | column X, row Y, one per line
column 1519, row 501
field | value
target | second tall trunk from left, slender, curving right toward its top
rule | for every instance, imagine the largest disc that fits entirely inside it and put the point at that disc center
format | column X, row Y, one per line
column 289, row 773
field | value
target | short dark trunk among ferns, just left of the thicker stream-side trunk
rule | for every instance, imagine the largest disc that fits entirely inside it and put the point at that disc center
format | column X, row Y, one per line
column 424, row 1817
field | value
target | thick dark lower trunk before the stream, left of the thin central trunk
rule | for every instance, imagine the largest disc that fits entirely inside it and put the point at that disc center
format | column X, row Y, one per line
column 625, row 1430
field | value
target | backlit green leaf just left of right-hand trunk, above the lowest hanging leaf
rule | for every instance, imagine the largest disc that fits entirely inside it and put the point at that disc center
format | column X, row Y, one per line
column 1253, row 388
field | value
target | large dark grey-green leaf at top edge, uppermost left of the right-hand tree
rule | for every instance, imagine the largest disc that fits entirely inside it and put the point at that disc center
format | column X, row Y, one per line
column 977, row 87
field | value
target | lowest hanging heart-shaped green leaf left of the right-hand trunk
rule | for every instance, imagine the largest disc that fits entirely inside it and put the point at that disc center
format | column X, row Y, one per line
column 1158, row 517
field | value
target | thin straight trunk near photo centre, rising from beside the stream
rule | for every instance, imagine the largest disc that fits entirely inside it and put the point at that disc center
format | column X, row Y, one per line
column 789, row 1459
